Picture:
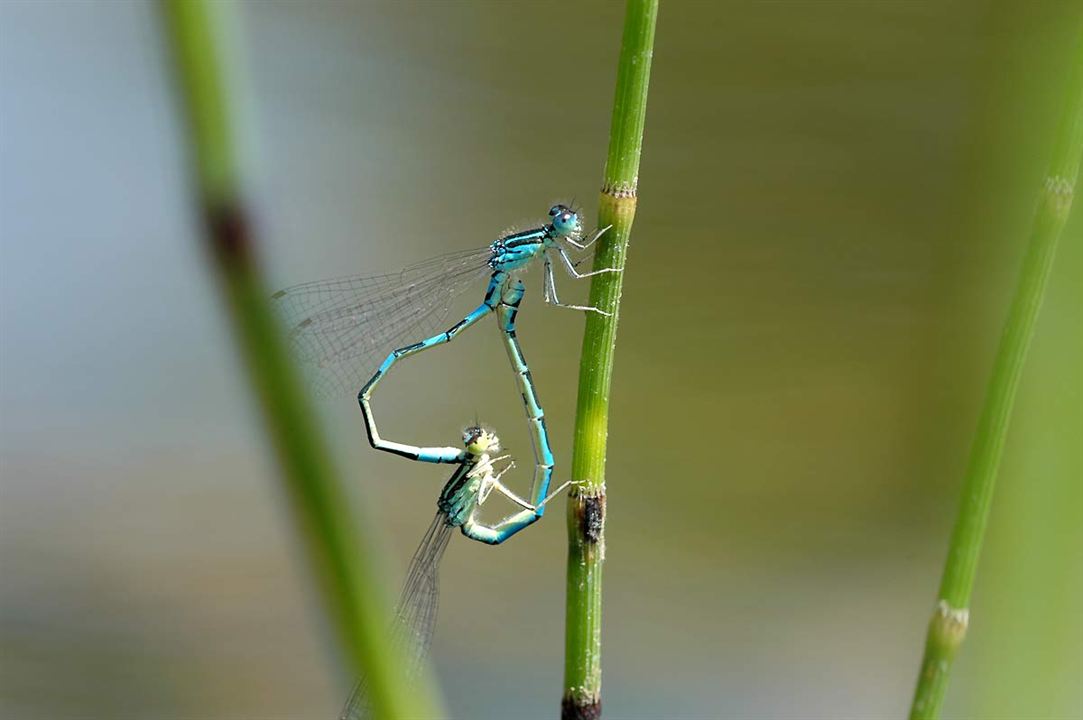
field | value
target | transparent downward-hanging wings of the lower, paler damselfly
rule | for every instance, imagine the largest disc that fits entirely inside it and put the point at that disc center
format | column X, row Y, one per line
column 415, row 621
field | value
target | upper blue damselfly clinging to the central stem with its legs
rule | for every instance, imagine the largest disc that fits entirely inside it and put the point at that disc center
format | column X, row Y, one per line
column 344, row 326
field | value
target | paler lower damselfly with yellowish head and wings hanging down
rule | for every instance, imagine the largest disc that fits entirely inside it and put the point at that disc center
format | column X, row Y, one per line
column 475, row 478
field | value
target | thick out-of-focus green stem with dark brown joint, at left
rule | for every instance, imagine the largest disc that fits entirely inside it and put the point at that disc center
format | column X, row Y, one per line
column 342, row 558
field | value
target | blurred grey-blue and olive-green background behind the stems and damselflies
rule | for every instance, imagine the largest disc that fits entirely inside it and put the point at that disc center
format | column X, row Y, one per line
column 834, row 200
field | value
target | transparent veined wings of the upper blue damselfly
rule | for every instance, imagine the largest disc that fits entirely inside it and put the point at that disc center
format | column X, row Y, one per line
column 346, row 328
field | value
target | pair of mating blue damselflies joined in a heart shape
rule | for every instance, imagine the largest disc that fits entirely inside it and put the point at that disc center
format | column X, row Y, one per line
column 345, row 326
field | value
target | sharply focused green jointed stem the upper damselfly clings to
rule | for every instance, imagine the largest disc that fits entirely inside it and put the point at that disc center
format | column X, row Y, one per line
column 586, row 508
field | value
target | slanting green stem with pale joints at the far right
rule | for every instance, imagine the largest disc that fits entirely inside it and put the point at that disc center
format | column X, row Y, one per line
column 948, row 627
